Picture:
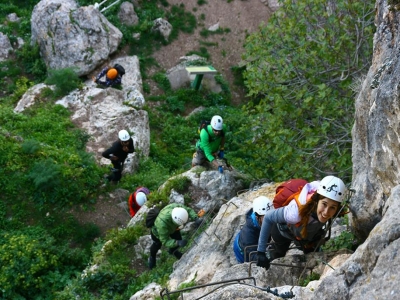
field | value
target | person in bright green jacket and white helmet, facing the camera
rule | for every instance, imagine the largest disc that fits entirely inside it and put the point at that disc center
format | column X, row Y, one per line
column 211, row 143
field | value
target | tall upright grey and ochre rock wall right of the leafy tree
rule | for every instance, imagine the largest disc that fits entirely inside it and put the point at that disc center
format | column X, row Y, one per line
column 376, row 130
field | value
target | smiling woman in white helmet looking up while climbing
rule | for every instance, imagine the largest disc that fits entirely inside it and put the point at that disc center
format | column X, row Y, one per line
column 319, row 202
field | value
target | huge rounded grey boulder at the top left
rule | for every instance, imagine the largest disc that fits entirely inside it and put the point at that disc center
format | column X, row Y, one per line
column 72, row 36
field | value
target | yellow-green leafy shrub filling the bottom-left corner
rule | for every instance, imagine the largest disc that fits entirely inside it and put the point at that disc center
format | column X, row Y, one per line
column 33, row 265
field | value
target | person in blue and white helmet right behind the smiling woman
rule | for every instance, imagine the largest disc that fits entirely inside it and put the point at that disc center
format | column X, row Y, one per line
column 247, row 238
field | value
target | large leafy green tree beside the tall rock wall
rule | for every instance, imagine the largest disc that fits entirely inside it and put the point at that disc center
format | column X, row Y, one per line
column 300, row 70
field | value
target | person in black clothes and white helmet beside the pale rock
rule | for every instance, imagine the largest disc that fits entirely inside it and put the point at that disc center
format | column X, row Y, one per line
column 117, row 153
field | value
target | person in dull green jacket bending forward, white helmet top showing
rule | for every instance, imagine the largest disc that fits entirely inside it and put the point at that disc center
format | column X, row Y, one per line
column 166, row 230
